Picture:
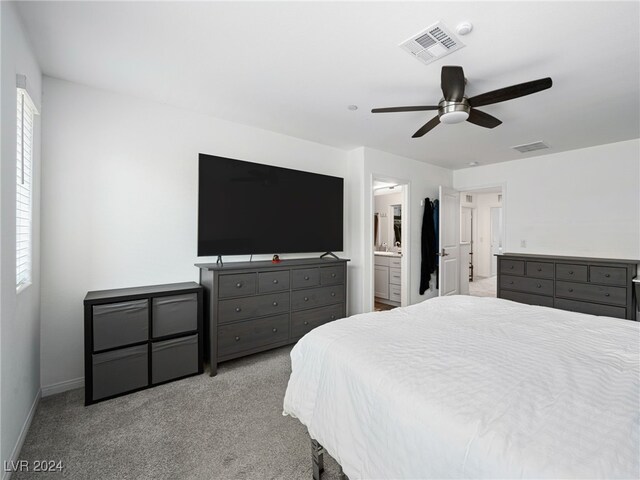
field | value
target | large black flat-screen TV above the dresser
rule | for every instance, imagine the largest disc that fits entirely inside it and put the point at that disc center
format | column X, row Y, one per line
column 249, row 208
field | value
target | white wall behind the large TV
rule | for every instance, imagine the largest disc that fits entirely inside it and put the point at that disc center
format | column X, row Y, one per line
column 120, row 200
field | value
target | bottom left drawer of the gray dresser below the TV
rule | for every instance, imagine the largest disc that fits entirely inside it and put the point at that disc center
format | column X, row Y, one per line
column 243, row 336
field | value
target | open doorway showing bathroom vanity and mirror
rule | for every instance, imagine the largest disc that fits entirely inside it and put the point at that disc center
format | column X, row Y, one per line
column 390, row 249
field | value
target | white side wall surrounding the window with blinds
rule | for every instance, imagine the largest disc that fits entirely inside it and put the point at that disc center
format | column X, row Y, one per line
column 20, row 314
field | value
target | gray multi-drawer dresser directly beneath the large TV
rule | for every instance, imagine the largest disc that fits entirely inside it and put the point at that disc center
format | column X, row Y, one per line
column 255, row 306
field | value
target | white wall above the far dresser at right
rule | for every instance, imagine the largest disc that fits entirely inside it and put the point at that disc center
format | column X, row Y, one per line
column 582, row 202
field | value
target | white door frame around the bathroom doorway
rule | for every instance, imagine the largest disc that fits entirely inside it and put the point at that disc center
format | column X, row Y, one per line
column 405, row 236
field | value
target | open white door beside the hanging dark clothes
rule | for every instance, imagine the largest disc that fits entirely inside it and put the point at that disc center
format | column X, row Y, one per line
column 449, row 241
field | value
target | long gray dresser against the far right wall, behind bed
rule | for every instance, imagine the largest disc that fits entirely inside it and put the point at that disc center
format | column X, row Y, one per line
column 596, row 286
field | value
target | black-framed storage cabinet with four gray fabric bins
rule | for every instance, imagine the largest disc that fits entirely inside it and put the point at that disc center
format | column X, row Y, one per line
column 139, row 337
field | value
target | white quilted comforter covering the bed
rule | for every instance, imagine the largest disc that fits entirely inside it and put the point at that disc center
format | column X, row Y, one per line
column 465, row 387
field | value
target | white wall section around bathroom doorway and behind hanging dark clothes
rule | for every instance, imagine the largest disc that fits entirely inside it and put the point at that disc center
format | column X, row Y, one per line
column 423, row 180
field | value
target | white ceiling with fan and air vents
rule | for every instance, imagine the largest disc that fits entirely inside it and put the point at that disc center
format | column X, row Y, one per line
column 293, row 67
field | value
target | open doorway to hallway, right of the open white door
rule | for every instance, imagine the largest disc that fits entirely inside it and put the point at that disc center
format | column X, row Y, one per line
column 482, row 233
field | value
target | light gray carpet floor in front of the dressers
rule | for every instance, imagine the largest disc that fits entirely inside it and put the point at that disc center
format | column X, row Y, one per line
column 224, row 427
